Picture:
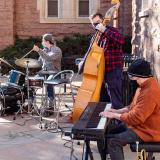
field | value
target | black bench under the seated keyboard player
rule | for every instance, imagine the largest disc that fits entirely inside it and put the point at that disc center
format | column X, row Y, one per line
column 149, row 147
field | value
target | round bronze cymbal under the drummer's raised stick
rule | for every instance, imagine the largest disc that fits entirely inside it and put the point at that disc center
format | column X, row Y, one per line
column 32, row 63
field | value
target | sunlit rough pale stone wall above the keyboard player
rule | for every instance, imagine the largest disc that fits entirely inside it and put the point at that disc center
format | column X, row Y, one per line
column 146, row 32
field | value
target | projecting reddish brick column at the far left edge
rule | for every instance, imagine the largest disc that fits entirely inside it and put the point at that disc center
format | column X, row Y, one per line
column 6, row 23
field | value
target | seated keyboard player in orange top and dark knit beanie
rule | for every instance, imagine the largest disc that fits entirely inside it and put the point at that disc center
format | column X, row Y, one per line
column 138, row 119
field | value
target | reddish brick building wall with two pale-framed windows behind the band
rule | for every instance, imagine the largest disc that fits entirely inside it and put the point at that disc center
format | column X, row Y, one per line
column 25, row 18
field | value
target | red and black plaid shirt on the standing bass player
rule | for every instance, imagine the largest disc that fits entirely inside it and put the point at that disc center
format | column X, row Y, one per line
column 111, row 40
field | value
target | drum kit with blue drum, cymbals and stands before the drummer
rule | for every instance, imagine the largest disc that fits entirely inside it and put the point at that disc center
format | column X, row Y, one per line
column 22, row 84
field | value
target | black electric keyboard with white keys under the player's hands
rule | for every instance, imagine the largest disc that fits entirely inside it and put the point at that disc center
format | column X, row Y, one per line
column 90, row 124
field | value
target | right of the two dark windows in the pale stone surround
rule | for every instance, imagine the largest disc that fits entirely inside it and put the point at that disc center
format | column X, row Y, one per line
column 83, row 8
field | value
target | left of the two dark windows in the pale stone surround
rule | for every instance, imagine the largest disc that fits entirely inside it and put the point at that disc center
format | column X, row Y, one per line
column 52, row 8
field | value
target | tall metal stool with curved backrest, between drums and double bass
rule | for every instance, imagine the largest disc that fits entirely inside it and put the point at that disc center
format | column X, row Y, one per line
column 62, row 87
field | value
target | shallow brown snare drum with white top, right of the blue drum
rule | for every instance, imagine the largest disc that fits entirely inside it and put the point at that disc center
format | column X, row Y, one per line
column 36, row 81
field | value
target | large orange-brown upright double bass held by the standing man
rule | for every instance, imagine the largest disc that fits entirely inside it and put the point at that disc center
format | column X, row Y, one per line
column 93, row 72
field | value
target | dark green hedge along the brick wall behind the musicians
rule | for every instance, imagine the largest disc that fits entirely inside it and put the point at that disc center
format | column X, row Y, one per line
column 72, row 47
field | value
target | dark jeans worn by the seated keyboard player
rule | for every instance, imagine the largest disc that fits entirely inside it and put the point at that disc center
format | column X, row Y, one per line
column 117, row 136
